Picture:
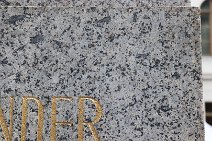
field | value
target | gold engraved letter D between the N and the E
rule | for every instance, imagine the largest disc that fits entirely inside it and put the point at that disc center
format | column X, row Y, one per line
column 25, row 100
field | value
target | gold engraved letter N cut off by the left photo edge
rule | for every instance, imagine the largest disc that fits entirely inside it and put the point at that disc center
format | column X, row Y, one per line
column 7, row 134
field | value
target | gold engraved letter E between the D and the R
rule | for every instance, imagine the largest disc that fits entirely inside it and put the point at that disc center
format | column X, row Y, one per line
column 54, row 117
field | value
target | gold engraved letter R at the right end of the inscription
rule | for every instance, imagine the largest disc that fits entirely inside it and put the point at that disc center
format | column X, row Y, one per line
column 82, row 122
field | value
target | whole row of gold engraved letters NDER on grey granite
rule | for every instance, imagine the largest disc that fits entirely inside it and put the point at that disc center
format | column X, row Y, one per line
column 7, row 133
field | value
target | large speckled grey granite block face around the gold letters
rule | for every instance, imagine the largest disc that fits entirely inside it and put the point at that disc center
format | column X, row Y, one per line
column 142, row 64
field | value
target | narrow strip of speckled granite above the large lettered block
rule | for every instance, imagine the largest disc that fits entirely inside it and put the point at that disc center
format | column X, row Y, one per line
column 105, row 3
